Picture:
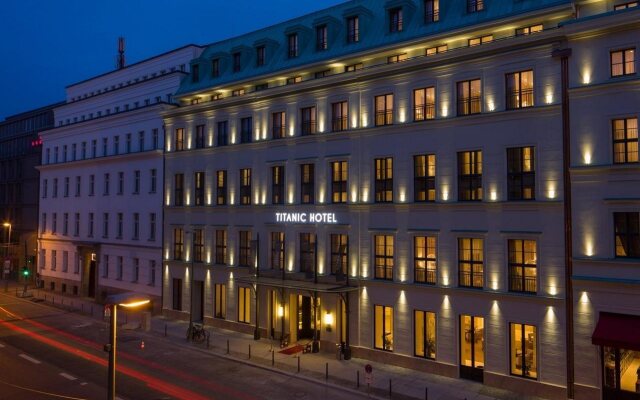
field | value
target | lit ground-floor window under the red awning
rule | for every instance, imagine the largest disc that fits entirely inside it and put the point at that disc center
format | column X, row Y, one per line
column 621, row 373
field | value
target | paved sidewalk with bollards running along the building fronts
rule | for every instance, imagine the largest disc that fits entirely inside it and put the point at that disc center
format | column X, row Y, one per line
column 402, row 382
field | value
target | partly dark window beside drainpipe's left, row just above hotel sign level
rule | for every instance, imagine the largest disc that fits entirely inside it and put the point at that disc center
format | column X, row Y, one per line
column 521, row 173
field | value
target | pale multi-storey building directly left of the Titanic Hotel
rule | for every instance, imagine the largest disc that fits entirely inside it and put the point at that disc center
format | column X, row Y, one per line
column 101, row 180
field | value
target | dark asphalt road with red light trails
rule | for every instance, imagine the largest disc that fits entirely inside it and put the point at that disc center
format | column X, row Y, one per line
column 48, row 353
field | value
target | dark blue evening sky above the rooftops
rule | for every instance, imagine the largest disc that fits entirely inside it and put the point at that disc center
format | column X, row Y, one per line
column 46, row 45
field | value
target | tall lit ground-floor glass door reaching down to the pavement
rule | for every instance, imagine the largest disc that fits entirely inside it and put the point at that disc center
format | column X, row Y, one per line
column 472, row 347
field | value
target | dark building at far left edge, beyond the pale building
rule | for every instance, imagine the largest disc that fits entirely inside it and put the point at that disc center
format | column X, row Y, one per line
column 20, row 149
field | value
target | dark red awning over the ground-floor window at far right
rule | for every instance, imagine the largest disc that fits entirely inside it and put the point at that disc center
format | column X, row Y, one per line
column 617, row 330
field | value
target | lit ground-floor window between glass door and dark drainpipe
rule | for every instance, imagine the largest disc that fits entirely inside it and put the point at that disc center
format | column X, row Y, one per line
column 524, row 361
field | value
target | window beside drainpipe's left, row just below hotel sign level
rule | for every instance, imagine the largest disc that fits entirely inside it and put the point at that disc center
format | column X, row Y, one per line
column 522, row 266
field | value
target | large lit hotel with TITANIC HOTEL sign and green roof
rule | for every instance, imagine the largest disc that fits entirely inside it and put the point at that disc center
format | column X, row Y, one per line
column 395, row 175
